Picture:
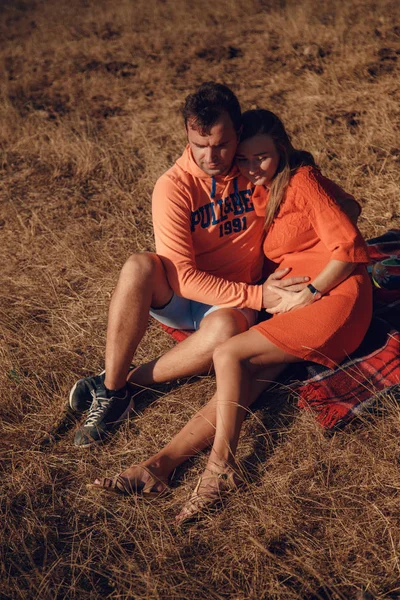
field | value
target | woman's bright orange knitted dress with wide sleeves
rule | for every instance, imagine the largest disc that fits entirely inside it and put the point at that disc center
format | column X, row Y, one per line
column 308, row 232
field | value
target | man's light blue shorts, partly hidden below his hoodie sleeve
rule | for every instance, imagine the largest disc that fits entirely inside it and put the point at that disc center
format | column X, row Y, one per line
column 181, row 313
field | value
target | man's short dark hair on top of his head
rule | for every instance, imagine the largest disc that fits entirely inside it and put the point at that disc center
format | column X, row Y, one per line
column 203, row 108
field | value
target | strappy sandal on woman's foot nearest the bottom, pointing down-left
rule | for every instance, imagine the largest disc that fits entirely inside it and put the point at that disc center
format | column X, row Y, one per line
column 197, row 504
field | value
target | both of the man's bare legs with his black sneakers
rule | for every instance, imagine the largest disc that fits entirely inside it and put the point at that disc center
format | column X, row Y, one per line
column 142, row 284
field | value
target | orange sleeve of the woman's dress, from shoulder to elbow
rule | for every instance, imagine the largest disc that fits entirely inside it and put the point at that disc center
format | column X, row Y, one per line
column 332, row 225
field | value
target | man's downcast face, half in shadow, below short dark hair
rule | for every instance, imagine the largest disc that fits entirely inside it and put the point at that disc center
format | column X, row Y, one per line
column 214, row 151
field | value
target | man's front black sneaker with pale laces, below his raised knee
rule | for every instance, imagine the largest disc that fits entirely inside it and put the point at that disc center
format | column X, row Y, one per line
column 108, row 410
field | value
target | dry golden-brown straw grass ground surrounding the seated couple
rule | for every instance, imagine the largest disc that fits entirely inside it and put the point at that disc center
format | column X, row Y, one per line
column 90, row 102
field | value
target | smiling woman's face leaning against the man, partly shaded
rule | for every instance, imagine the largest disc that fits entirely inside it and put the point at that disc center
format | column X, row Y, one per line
column 258, row 159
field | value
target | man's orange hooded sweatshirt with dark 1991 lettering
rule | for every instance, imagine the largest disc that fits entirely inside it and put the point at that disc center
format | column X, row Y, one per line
column 208, row 235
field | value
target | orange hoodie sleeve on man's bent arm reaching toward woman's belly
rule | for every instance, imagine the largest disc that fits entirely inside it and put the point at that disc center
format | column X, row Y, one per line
column 171, row 221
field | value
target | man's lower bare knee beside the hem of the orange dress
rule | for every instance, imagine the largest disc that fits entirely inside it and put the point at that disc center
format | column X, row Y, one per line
column 223, row 324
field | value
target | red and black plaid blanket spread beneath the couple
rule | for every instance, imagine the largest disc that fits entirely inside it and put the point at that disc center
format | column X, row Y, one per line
column 338, row 395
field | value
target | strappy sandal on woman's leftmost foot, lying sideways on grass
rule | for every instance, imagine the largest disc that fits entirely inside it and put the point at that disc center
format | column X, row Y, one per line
column 123, row 487
